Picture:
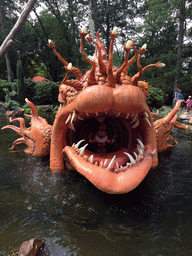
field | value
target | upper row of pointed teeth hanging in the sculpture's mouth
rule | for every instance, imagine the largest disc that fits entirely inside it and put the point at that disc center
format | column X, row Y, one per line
column 134, row 122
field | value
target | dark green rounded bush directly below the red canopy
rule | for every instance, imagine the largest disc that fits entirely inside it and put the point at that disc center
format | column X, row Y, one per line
column 47, row 92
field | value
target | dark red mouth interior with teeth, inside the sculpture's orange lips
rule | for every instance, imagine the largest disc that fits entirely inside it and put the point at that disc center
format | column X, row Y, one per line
column 108, row 139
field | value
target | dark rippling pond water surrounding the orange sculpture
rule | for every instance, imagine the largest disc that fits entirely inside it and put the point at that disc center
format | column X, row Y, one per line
column 75, row 218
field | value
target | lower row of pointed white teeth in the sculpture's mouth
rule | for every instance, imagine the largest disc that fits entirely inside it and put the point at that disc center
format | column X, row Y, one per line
column 104, row 164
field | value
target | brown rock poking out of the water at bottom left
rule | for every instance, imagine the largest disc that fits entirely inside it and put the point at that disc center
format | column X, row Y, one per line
column 32, row 247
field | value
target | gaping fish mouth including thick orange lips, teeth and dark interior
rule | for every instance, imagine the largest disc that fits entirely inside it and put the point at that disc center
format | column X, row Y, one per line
column 108, row 141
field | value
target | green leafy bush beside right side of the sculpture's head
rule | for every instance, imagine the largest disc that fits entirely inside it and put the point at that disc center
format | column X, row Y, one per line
column 156, row 98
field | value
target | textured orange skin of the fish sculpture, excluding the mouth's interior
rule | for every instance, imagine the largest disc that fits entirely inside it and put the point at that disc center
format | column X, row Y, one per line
column 103, row 88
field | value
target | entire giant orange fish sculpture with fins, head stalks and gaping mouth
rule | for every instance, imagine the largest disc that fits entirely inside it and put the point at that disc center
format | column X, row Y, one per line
column 104, row 128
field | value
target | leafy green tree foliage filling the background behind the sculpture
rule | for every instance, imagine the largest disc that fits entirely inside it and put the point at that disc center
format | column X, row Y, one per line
column 60, row 20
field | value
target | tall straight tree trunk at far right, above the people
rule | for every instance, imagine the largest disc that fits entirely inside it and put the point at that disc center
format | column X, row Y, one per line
column 180, row 44
